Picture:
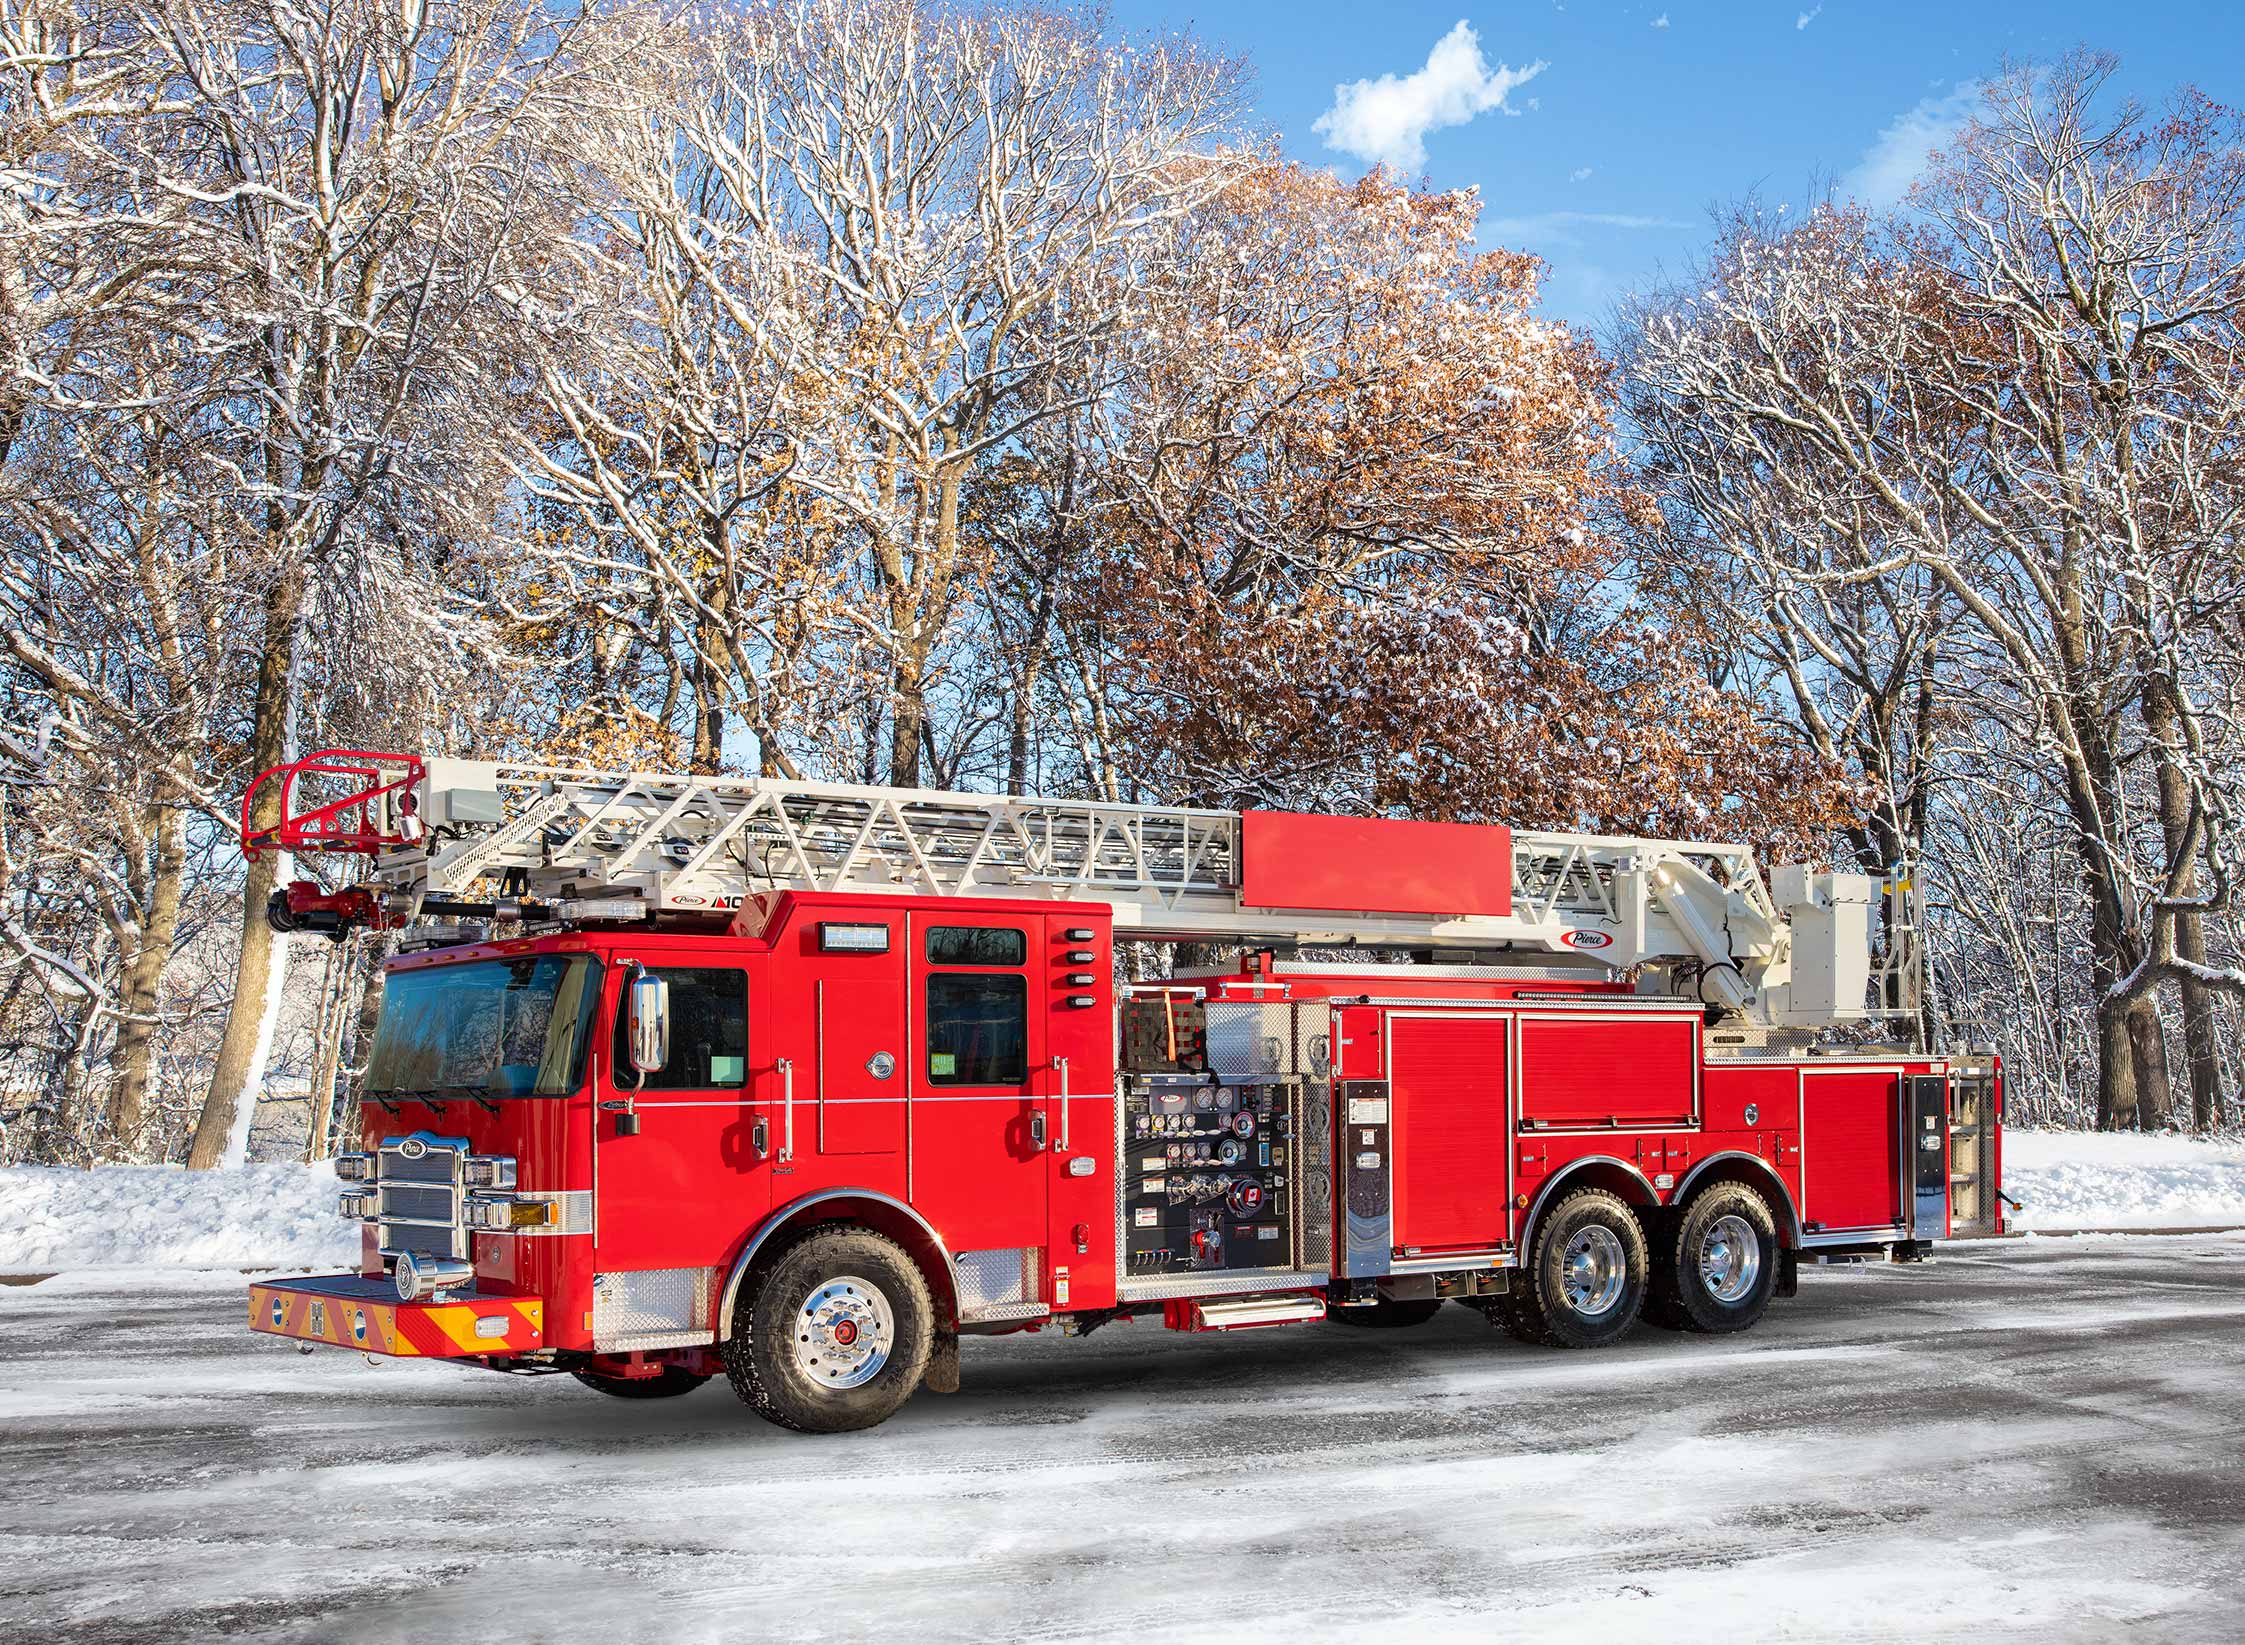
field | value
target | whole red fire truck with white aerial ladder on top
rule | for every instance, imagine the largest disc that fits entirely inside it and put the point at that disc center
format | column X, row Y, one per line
column 791, row 1083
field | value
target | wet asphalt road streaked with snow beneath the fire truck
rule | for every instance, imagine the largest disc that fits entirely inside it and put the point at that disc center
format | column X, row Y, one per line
column 2037, row 1440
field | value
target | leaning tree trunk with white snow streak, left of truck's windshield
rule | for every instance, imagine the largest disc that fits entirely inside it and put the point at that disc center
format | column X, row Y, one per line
column 264, row 955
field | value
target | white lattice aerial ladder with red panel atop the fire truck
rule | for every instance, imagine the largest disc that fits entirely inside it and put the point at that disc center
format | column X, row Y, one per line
column 580, row 845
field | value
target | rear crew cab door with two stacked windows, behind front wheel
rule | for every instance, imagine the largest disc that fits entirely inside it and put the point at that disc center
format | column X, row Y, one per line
column 978, row 1116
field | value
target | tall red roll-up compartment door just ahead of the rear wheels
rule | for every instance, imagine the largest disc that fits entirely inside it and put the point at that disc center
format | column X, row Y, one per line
column 1451, row 1137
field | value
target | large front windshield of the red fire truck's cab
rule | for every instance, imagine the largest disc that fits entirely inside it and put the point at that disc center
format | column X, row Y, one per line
column 491, row 1029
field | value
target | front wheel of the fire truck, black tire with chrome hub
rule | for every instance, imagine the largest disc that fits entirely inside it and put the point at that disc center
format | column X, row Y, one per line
column 778, row 1359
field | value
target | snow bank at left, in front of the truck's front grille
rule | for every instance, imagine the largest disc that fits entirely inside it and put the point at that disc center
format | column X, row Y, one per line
column 163, row 1217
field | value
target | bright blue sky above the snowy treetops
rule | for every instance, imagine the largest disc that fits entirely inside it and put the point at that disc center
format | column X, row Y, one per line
column 1609, row 158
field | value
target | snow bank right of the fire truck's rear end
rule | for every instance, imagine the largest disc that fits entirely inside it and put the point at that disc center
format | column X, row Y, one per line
column 2120, row 1179
